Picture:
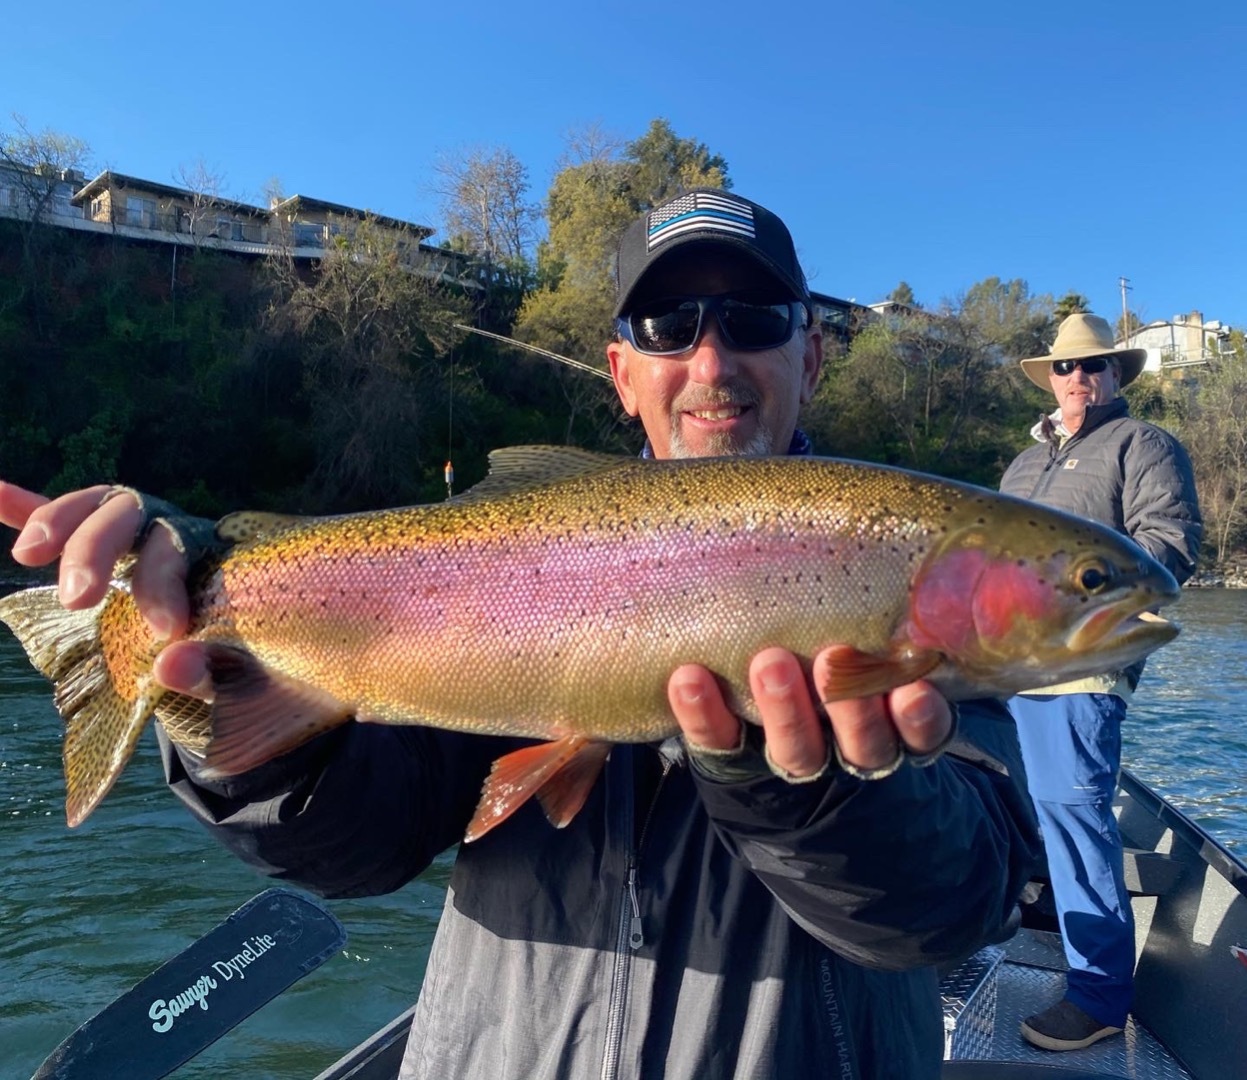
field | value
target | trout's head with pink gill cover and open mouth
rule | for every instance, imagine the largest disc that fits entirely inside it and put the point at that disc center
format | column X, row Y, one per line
column 1038, row 599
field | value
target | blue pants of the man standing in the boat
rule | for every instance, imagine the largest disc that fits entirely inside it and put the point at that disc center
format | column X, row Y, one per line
column 1072, row 748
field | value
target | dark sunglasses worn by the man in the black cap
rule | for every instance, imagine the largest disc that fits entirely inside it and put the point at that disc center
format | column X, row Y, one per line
column 668, row 327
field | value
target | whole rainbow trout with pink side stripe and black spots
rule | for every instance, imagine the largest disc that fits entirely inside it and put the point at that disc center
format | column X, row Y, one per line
column 554, row 600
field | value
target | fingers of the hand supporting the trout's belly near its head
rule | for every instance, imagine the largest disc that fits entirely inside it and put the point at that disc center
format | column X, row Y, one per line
column 871, row 731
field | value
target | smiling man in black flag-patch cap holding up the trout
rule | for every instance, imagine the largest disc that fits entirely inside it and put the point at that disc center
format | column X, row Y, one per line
column 731, row 905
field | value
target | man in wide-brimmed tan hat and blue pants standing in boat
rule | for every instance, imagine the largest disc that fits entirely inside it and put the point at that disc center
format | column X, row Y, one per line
column 1094, row 461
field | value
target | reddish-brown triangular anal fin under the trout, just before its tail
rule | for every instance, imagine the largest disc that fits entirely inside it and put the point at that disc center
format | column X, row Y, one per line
column 260, row 714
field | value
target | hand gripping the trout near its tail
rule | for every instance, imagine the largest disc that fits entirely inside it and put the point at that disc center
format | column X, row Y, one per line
column 89, row 537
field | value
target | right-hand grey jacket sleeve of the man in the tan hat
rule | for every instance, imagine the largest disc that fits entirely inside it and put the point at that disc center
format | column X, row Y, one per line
column 1159, row 501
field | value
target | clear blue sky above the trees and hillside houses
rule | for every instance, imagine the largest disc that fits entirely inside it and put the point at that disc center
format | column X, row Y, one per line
column 1067, row 144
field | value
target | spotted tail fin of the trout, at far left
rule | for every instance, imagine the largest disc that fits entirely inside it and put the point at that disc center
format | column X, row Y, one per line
column 99, row 662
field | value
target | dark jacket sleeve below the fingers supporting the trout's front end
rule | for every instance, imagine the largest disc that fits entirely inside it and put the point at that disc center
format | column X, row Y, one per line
column 922, row 867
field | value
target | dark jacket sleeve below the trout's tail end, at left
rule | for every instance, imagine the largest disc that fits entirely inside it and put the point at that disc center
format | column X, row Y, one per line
column 360, row 811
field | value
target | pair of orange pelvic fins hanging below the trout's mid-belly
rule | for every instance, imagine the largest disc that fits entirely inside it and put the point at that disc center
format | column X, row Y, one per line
column 561, row 774
